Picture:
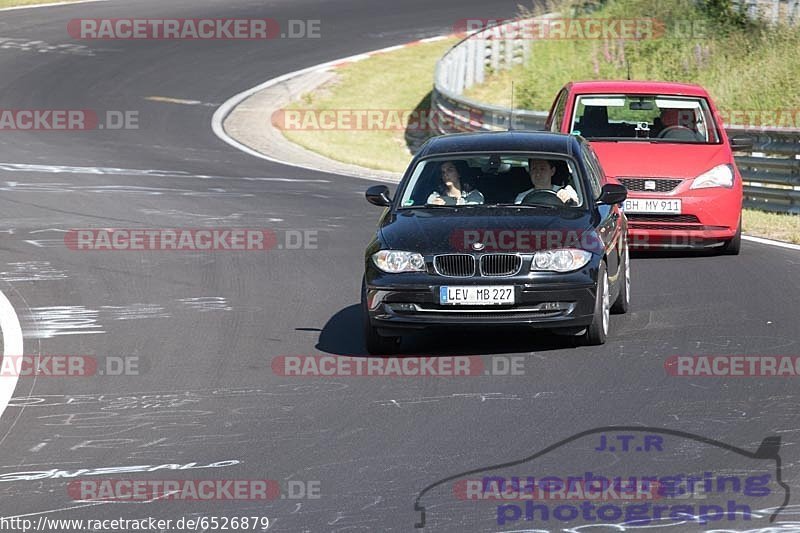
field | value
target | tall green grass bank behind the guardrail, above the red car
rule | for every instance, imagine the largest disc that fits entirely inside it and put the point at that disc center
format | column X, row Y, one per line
column 743, row 68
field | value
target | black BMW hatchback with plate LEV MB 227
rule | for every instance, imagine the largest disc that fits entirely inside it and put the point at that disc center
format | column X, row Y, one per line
column 504, row 228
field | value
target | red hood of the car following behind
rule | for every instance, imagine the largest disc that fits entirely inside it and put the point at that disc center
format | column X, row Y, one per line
column 643, row 159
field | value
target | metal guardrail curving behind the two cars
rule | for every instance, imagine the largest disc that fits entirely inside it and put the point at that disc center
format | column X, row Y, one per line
column 771, row 172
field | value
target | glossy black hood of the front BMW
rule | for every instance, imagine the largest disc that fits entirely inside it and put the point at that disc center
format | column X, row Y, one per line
column 446, row 230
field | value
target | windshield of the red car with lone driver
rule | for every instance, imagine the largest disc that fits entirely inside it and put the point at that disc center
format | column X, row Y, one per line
column 652, row 118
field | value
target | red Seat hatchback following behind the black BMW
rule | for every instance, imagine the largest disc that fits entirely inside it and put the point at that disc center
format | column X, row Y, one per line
column 666, row 143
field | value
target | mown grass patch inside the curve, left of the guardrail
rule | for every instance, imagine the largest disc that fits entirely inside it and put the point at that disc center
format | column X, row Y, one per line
column 399, row 80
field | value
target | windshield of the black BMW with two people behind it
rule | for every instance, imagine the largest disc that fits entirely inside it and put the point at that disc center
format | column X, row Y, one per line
column 494, row 180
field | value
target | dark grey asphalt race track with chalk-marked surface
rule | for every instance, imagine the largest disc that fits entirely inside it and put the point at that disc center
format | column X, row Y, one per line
column 205, row 327
